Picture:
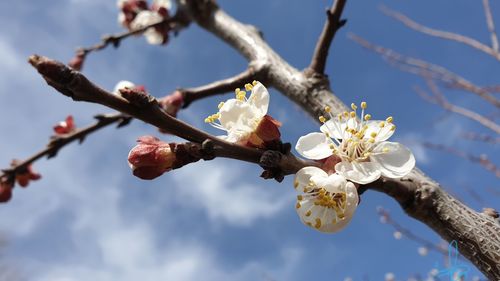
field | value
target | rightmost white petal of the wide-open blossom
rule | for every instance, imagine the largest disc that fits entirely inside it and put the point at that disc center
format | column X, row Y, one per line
column 397, row 162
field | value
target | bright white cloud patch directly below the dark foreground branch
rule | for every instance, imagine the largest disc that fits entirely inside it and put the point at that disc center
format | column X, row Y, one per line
column 227, row 194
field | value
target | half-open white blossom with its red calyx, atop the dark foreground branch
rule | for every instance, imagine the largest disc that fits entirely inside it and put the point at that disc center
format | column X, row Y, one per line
column 245, row 119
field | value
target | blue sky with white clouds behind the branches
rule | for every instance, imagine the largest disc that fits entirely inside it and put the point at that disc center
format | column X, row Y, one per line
column 90, row 219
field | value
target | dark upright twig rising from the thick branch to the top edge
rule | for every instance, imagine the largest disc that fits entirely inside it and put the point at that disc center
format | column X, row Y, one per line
column 332, row 25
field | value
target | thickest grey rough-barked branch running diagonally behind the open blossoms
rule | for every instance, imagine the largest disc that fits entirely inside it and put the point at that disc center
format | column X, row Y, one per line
column 478, row 235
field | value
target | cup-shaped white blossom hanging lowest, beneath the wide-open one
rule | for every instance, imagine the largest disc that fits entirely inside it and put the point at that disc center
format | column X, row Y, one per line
column 326, row 202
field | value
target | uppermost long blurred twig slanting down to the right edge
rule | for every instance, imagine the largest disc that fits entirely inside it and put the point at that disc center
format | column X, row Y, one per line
column 441, row 34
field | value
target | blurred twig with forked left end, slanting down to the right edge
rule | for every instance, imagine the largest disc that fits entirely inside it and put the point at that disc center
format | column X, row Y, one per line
column 439, row 99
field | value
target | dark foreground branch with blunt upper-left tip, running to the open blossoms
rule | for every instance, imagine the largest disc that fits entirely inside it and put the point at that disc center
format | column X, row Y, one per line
column 146, row 108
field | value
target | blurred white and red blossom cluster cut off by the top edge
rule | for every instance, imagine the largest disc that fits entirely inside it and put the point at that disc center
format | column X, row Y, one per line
column 135, row 14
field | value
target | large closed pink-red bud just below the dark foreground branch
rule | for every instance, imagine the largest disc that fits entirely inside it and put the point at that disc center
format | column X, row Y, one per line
column 151, row 158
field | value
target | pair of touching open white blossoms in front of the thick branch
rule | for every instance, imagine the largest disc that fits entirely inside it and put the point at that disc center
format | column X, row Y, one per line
column 351, row 150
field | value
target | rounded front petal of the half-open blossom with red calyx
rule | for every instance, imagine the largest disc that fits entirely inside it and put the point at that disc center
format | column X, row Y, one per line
column 235, row 112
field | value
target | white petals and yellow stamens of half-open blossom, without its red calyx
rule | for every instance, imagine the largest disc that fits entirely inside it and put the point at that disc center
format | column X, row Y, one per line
column 241, row 116
